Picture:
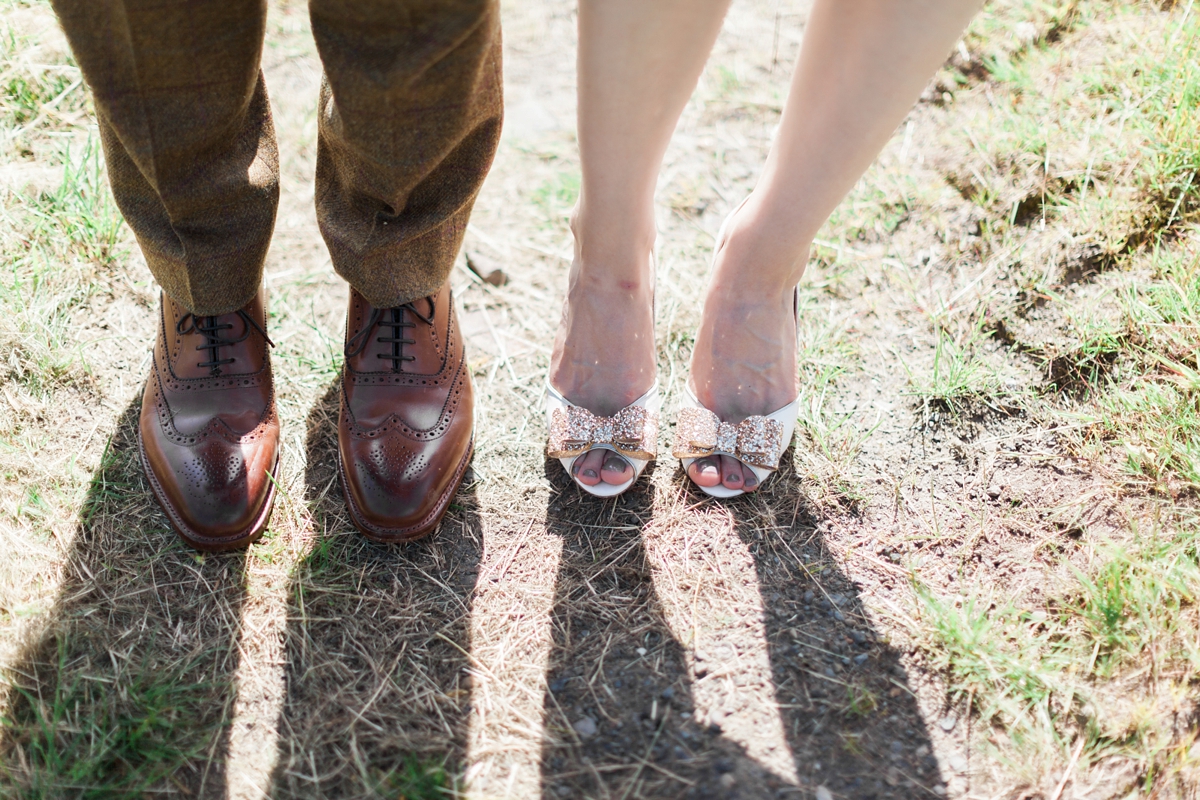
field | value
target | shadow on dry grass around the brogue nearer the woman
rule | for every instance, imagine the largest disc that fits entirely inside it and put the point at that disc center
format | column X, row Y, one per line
column 376, row 643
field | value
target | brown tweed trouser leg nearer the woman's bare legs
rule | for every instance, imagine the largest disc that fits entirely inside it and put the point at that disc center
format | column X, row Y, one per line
column 411, row 116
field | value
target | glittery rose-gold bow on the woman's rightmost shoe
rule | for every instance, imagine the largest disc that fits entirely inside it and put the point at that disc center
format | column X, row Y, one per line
column 757, row 441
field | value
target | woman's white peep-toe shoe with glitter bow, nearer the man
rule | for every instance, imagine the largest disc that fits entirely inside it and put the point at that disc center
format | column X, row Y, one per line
column 632, row 434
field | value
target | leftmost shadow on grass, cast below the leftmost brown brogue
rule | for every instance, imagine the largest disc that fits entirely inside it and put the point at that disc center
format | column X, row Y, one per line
column 129, row 688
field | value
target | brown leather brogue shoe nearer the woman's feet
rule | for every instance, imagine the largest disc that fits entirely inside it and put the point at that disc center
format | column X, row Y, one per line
column 405, row 431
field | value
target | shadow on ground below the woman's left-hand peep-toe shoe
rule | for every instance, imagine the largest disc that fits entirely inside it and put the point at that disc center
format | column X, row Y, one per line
column 620, row 713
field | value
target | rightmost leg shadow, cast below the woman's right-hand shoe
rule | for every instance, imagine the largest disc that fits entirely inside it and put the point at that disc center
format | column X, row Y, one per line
column 850, row 718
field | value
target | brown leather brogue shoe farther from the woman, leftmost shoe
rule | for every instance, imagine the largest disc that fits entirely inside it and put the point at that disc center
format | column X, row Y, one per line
column 208, row 432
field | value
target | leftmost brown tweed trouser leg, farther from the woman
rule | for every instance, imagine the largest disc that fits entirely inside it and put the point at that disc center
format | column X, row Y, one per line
column 188, row 136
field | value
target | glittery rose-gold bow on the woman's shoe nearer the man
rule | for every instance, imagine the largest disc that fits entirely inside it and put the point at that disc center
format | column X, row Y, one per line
column 633, row 432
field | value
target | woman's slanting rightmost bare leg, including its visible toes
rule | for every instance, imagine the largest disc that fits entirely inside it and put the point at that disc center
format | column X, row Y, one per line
column 862, row 65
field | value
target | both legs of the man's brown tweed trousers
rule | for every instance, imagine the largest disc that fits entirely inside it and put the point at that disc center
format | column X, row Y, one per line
column 410, row 119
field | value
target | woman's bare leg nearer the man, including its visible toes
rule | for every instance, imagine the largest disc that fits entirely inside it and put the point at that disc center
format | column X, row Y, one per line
column 639, row 63
